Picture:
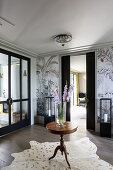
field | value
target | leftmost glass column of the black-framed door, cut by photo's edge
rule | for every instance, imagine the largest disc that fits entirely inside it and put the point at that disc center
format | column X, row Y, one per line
column 4, row 109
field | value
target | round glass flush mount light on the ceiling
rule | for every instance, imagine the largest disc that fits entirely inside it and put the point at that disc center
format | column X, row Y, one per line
column 63, row 38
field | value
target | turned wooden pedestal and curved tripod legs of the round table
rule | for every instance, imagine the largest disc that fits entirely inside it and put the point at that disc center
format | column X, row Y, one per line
column 62, row 148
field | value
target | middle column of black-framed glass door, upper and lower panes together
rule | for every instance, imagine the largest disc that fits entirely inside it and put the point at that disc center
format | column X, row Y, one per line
column 15, row 90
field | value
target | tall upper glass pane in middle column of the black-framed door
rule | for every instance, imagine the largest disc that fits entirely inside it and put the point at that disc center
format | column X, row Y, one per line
column 15, row 78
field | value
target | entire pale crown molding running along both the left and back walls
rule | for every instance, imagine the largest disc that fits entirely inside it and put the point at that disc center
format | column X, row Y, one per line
column 70, row 51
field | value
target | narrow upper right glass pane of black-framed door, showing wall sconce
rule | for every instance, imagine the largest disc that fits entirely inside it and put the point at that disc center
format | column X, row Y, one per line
column 24, row 79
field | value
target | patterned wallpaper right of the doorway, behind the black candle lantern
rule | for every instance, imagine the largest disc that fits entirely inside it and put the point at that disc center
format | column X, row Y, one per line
column 104, row 76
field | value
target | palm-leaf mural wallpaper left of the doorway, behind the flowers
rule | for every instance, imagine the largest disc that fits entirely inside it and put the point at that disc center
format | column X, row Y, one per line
column 47, row 75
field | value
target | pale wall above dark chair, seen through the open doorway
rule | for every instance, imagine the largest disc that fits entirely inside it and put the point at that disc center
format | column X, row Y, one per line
column 82, row 82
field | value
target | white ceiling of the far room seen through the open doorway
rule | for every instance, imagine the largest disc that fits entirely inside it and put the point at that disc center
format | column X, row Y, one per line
column 78, row 63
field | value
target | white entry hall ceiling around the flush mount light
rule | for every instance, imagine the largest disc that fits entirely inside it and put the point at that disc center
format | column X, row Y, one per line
column 36, row 21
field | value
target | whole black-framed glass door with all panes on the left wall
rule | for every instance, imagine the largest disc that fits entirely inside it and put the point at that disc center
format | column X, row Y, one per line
column 14, row 92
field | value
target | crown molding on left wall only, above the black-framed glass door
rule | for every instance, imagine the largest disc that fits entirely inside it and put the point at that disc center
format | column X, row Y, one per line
column 16, row 49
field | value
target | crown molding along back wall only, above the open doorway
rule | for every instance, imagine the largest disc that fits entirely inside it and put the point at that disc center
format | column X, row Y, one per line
column 75, row 50
